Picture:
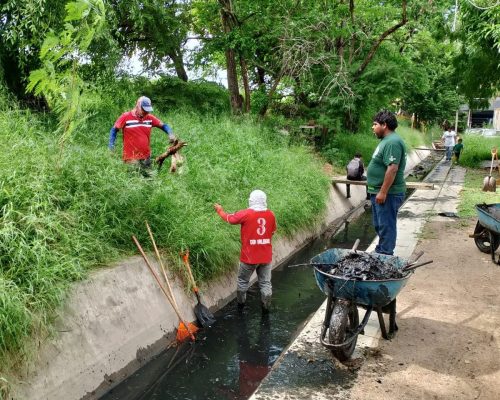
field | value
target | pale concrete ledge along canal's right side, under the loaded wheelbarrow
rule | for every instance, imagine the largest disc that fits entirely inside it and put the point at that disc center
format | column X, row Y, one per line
column 305, row 368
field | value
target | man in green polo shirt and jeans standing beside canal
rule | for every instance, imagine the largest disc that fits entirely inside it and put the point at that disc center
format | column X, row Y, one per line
column 385, row 180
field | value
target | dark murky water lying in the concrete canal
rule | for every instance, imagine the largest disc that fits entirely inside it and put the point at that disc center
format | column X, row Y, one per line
column 229, row 360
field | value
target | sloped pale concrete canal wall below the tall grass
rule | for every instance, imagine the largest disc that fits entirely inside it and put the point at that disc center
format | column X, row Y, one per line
column 118, row 319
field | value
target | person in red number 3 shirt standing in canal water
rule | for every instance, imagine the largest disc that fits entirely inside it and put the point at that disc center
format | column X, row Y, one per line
column 258, row 225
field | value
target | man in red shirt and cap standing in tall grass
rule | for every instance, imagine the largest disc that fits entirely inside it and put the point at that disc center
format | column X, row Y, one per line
column 136, row 125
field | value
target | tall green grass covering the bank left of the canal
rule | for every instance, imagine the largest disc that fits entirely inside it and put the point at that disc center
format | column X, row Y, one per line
column 62, row 214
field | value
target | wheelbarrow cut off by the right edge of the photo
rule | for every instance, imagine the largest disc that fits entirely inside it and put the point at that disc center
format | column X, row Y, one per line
column 487, row 231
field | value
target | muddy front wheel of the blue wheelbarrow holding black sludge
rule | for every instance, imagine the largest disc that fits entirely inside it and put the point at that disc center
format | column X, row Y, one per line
column 343, row 324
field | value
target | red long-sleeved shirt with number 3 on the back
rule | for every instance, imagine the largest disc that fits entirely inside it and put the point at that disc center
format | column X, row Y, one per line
column 257, row 229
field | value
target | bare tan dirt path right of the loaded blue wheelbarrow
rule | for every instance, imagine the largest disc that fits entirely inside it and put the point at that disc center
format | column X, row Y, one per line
column 447, row 346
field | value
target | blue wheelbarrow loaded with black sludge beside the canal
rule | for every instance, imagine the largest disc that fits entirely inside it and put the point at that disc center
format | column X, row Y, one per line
column 345, row 295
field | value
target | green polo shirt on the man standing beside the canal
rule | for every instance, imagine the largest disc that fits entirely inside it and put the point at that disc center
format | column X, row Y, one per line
column 391, row 150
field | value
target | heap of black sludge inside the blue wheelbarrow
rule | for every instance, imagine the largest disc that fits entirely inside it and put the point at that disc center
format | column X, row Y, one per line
column 364, row 267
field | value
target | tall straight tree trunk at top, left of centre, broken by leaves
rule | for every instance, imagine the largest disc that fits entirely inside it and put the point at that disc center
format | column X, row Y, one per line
column 232, row 76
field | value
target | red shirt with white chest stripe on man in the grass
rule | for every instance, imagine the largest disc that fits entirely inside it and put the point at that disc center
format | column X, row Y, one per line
column 136, row 134
